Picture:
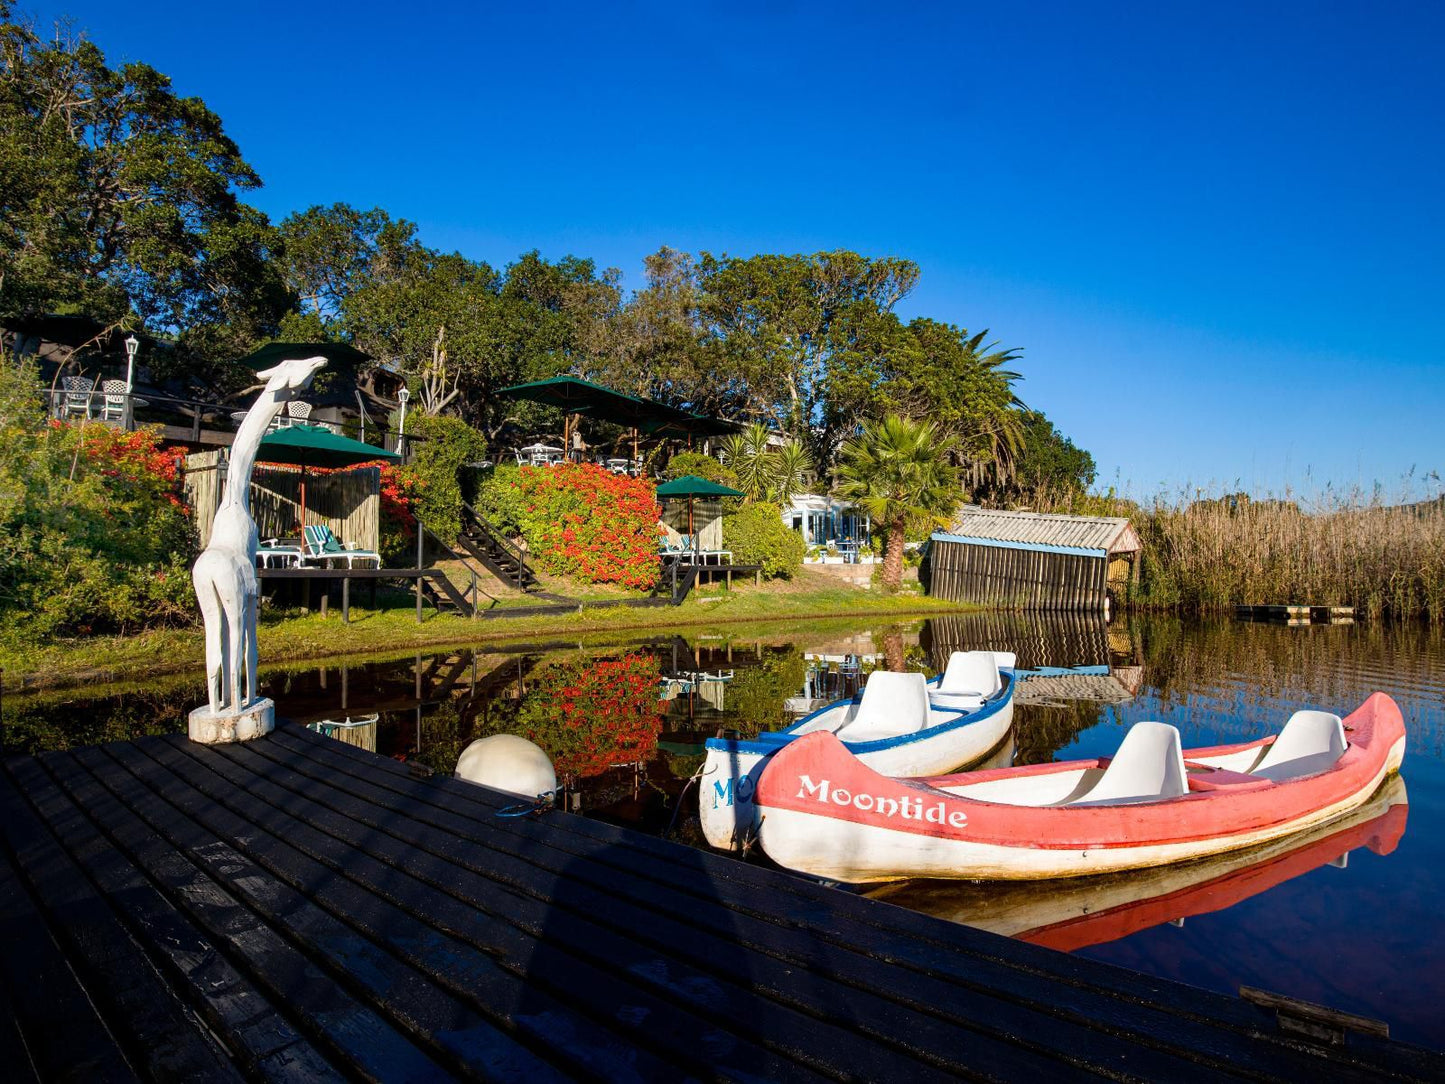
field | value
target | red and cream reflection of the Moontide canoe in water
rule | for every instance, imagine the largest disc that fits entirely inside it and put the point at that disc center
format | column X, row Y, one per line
column 1090, row 911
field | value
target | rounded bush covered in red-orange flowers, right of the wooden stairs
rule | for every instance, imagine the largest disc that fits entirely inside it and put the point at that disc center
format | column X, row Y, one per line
column 580, row 521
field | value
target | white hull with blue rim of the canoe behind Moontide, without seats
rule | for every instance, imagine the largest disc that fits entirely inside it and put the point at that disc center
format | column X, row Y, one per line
column 735, row 767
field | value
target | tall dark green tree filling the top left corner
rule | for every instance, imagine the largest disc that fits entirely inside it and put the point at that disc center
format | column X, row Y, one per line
column 121, row 199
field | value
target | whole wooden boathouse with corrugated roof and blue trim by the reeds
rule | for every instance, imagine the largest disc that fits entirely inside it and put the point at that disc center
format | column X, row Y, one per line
column 1031, row 560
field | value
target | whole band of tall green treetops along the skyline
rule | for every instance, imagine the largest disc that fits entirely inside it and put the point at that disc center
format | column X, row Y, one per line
column 122, row 200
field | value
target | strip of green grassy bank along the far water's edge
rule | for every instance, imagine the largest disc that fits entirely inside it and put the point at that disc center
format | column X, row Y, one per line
column 298, row 638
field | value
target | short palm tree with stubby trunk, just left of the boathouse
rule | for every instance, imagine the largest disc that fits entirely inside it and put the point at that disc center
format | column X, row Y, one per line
column 898, row 472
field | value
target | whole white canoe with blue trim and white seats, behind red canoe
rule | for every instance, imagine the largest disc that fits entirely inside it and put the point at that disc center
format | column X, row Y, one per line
column 900, row 726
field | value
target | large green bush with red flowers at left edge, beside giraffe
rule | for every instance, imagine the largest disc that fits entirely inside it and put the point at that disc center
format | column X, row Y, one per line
column 95, row 535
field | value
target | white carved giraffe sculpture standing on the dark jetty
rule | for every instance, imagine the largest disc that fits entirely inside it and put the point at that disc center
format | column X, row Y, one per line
column 225, row 576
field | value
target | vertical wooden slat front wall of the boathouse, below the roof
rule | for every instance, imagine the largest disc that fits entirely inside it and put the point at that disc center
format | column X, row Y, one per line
column 1018, row 579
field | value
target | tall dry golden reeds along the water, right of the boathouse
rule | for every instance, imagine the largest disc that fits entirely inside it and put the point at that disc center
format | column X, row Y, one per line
column 1384, row 560
